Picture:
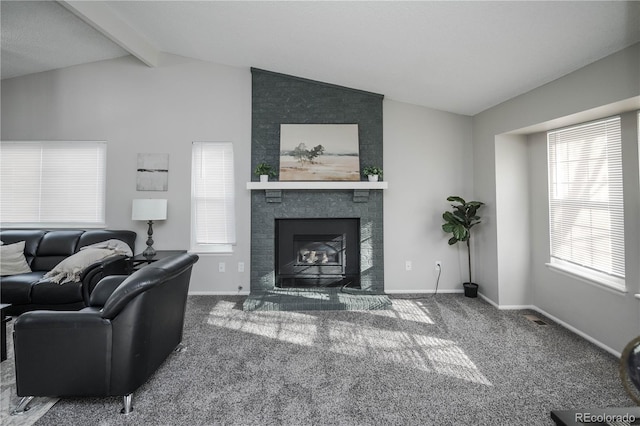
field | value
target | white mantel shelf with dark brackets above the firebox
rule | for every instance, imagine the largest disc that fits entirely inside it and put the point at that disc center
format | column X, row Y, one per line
column 273, row 190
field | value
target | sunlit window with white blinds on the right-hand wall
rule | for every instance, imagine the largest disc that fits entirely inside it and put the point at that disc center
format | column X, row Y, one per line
column 585, row 201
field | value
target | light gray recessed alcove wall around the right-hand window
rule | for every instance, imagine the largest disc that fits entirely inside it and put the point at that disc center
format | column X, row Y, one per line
column 610, row 317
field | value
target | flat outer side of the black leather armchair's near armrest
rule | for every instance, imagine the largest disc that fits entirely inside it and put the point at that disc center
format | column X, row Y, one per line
column 50, row 347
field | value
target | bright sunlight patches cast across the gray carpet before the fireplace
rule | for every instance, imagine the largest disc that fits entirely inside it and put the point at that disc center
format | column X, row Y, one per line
column 363, row 341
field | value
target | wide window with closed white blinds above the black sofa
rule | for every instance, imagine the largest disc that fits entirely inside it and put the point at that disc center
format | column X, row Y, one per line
column 52, row 183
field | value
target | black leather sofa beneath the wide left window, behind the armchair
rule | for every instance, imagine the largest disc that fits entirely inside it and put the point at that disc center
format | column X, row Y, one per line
column 44, row 249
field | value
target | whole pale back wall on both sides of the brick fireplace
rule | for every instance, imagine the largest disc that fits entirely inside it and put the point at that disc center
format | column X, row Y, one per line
column 140, row 109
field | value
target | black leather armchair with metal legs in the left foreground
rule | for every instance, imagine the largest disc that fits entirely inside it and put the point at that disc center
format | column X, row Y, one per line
column 111, row 347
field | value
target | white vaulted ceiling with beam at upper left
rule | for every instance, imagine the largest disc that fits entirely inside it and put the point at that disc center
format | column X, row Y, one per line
column 456, row 56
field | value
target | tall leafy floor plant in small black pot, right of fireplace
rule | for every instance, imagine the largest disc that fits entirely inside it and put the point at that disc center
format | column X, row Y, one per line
column 459, row 223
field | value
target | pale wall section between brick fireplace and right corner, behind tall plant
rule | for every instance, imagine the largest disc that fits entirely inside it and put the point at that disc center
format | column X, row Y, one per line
column 427, row 157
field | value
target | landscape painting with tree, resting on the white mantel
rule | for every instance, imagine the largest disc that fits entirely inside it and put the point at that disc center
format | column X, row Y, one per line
column 324, row 152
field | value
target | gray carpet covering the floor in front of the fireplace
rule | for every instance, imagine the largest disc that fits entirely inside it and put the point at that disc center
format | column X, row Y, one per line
column 443, row 360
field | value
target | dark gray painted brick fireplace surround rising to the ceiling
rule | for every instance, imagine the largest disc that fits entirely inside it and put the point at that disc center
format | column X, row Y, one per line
column 281, row 99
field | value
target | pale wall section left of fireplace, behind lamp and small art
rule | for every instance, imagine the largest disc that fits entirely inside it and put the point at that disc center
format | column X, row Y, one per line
column 137, row 109
